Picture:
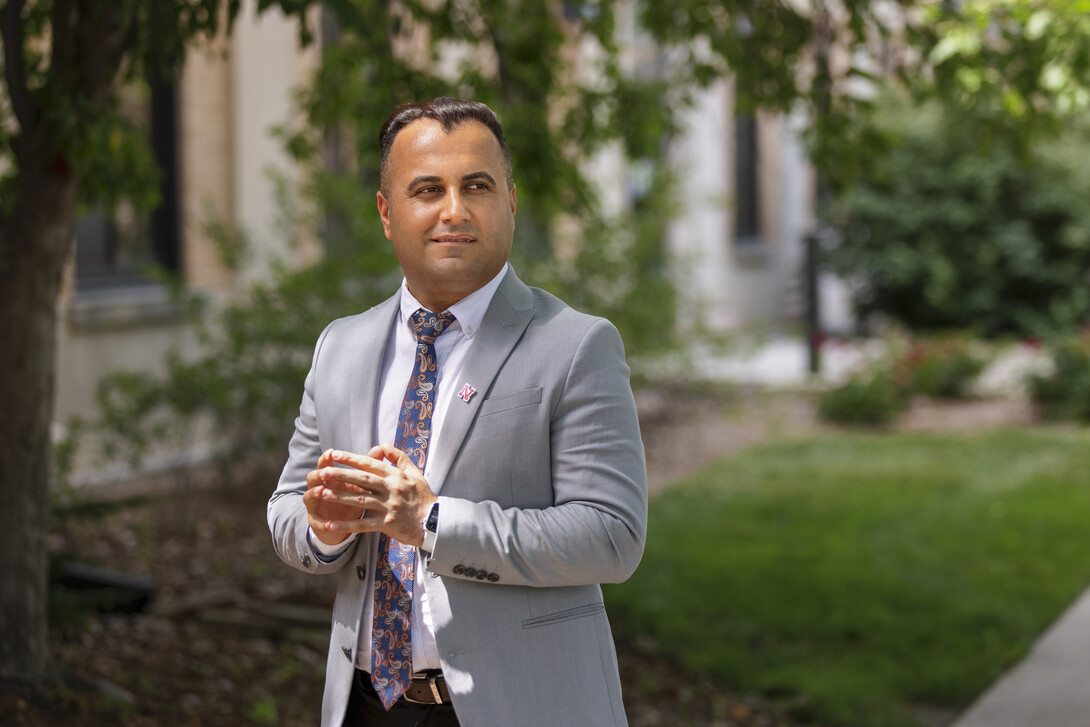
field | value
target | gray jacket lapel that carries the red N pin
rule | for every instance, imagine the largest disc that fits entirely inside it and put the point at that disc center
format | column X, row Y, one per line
column 508, row 316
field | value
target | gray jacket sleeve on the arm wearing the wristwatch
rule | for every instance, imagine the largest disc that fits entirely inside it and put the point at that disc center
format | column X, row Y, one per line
column 595, row 531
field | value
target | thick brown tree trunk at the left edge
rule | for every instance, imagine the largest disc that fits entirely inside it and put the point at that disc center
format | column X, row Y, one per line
column 35, row 241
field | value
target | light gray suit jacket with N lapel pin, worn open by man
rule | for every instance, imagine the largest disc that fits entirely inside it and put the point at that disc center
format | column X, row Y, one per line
column 543, row 496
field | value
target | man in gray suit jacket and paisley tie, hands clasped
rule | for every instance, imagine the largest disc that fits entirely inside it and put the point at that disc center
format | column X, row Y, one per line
column 473, row 515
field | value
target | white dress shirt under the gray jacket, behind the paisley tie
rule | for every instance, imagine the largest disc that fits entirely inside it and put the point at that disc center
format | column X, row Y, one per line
column 452, row 348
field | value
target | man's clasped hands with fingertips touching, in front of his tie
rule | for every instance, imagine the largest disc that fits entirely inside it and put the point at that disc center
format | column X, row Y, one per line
column 383, row 492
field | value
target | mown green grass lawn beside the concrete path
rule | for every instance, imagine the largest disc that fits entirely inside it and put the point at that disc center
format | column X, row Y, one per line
column 861, row 576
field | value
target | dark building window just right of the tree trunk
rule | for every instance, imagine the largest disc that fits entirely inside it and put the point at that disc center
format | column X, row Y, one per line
column 115, row 250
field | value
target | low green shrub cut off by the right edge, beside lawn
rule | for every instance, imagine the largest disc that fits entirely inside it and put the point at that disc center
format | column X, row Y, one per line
column 1064, row 392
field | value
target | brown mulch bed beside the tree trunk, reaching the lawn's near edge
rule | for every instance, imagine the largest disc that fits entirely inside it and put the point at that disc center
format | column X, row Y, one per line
column 236, row 638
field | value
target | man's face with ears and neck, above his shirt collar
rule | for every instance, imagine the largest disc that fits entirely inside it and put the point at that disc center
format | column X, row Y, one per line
column 450, row 214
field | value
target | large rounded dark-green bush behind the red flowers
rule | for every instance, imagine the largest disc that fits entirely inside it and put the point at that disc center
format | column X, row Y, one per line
column 946, row 233
